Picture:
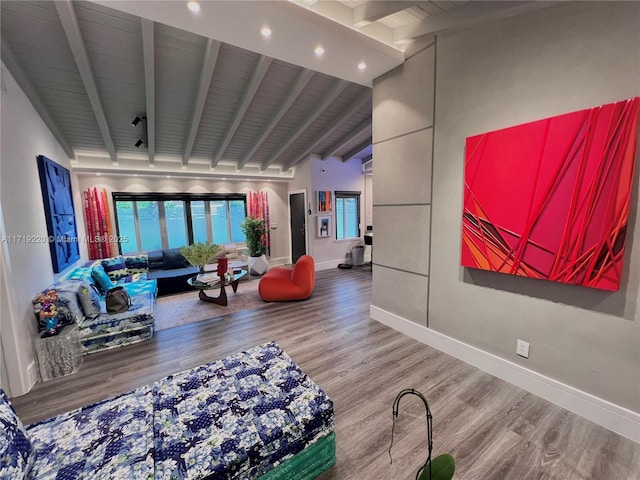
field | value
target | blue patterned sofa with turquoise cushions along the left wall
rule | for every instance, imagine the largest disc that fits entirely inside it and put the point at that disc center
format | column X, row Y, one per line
column 78, row 302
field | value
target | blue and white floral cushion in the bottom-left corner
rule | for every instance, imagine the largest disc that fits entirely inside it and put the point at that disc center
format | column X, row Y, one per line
column 16, row 451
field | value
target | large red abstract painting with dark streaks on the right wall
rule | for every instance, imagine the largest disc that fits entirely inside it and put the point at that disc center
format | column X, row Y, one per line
column 550, row 199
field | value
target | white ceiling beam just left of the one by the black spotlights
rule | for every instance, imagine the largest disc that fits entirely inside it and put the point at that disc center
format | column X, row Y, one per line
column 71, row 29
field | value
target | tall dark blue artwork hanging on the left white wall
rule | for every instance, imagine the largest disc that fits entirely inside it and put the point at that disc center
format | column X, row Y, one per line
column 55, row 182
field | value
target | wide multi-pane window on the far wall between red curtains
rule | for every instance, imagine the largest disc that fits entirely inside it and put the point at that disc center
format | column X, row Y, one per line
column 155, row 221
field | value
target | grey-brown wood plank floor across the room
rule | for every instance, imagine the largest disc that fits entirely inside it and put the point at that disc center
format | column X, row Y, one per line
column 494, row 430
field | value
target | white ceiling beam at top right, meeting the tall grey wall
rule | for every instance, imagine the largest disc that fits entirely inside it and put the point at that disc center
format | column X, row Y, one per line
column 472, row 13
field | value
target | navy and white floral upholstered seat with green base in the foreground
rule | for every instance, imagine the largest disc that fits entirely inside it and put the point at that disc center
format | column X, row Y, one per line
column 253, row 415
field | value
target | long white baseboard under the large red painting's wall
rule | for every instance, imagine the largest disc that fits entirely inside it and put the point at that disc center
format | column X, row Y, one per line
column 606, row 414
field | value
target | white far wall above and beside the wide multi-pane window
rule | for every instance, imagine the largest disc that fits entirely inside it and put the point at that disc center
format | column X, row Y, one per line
column 276, row 191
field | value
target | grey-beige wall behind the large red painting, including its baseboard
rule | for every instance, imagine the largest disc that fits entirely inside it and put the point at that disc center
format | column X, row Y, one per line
column 585, row 343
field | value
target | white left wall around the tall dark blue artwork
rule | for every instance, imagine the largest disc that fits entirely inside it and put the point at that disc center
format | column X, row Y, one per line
column 26, row 266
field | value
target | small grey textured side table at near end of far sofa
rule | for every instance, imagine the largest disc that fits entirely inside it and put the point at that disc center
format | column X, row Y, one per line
column 59, row 355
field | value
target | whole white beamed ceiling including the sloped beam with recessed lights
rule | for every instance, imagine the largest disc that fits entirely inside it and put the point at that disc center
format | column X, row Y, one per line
column 219, row 98
